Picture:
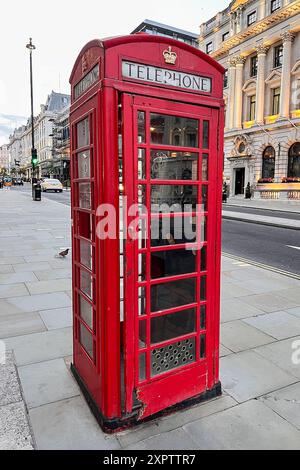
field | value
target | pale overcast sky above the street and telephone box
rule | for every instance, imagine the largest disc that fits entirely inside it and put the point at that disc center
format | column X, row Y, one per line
column 60, row 28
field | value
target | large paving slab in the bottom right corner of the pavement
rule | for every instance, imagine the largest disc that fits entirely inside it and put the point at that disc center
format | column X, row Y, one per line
column 249, row 426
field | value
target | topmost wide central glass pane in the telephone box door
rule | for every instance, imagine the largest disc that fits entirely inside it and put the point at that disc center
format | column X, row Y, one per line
column 173, row 130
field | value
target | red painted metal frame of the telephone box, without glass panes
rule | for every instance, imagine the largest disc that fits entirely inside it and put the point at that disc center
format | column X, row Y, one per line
column 102, row 376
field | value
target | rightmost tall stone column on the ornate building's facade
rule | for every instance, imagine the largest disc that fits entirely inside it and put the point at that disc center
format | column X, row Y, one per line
column 285, row 92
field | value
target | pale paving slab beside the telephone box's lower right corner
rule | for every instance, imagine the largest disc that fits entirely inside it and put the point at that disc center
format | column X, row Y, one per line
column 248, row 375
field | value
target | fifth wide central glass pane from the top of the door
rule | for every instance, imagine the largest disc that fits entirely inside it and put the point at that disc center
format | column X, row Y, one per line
column 172, row 263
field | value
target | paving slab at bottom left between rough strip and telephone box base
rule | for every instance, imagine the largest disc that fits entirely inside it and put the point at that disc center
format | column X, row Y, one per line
column 69, row 425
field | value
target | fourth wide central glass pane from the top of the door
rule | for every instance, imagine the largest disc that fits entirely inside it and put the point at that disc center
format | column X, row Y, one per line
column 173, row 230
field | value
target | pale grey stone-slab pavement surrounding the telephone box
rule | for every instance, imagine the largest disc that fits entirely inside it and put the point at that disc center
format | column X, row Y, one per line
column 40, row 403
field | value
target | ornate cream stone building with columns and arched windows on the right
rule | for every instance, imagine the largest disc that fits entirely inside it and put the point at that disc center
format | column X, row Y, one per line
column 258, row 43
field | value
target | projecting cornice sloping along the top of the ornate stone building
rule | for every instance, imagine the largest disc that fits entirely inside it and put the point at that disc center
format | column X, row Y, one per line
column 288, row 11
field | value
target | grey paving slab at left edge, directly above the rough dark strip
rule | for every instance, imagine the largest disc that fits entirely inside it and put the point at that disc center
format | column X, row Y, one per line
column 19, row 324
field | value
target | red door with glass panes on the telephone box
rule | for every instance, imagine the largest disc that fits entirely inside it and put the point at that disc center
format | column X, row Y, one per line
column 171, row 175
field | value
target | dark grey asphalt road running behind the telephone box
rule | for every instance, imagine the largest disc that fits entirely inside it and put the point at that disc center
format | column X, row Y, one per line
column 260, row 243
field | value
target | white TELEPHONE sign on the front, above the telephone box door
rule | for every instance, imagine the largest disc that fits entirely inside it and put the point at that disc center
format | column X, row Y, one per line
column 160, row 76
